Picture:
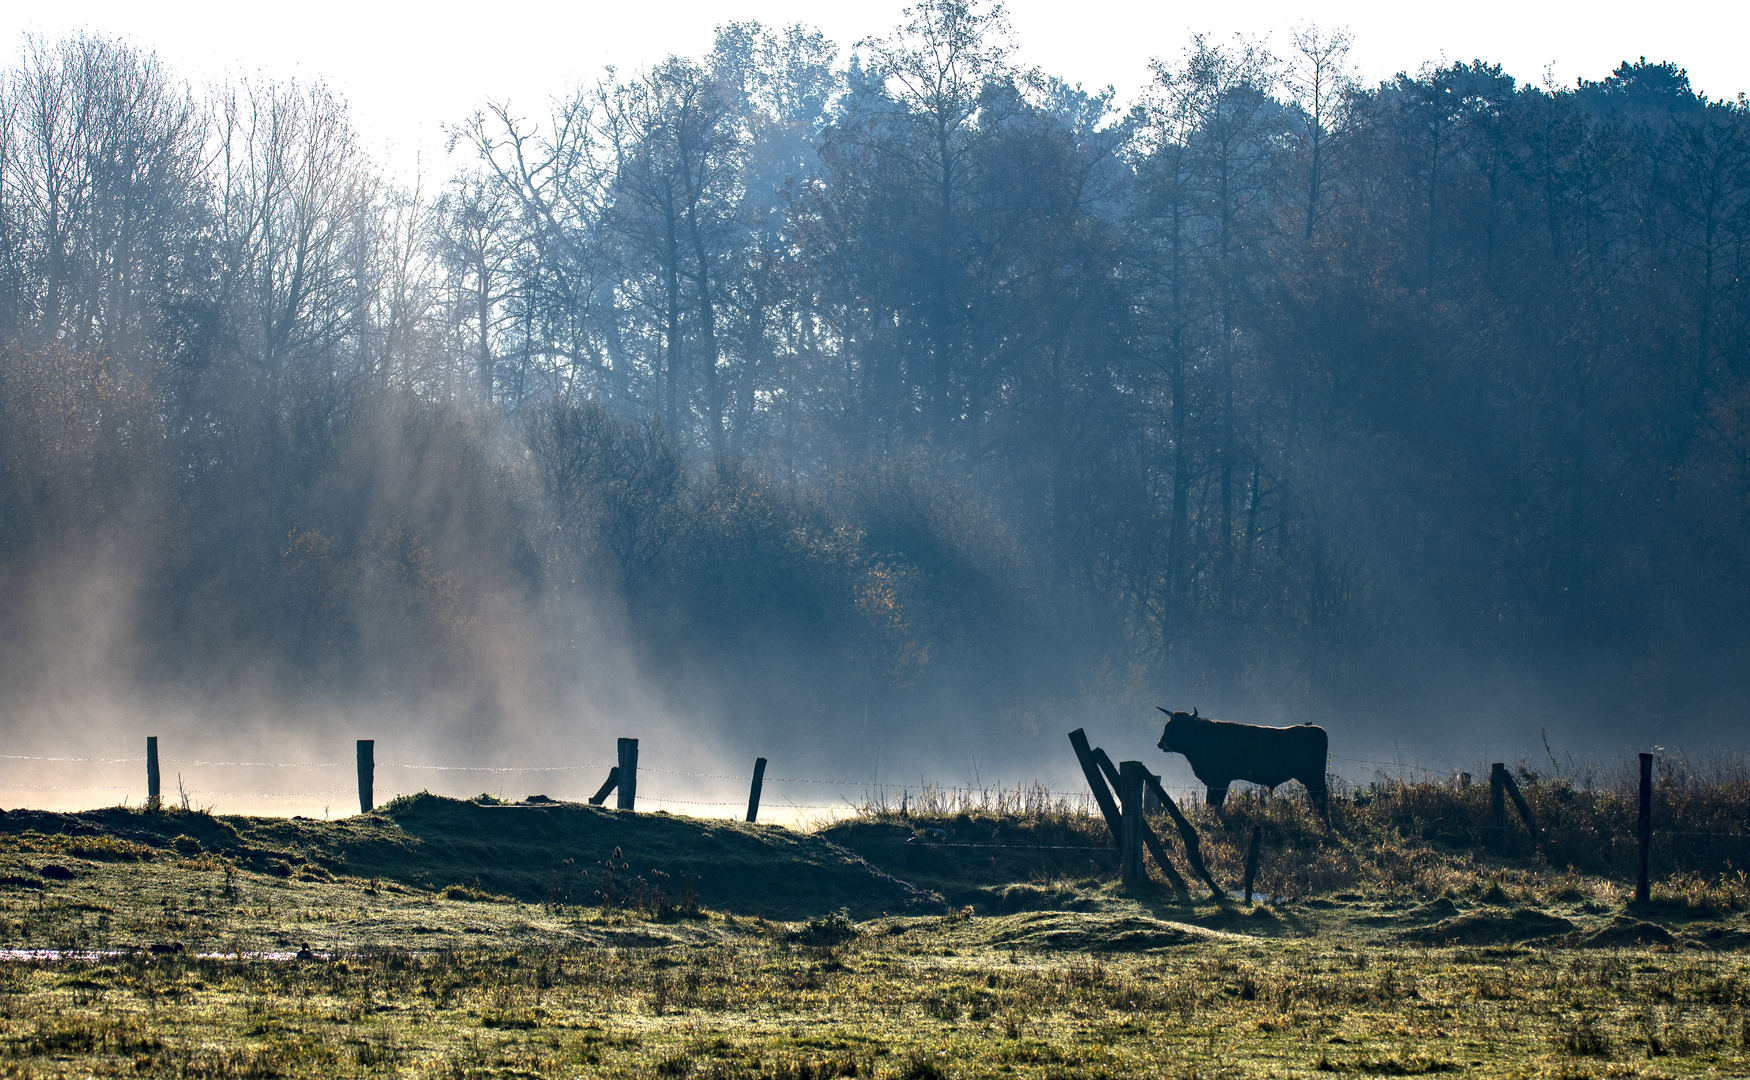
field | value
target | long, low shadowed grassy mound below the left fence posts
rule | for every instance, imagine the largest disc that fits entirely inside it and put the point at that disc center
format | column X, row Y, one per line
column 538, row 853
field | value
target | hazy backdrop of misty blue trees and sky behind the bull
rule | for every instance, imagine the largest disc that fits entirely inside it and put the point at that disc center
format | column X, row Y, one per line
column 871, row 400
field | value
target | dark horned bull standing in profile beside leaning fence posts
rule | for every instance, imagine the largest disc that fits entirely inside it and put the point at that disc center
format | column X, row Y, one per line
column 1222, row 754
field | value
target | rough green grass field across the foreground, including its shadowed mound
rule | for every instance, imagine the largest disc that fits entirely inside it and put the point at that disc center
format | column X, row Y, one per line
column 466, row 941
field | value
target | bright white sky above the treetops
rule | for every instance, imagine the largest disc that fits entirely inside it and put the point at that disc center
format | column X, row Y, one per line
column 409, row 69
